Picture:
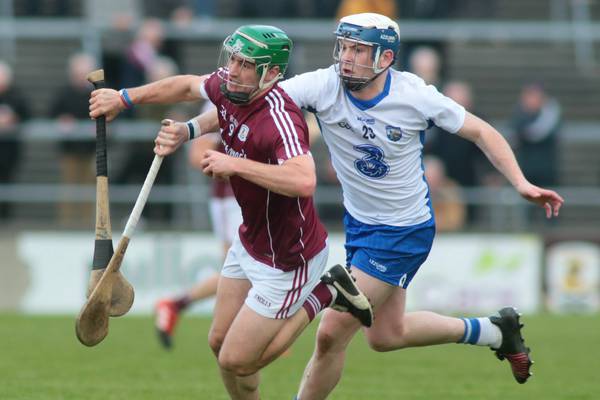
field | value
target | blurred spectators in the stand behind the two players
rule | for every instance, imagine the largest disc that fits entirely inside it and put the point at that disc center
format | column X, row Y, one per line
column 451, row 163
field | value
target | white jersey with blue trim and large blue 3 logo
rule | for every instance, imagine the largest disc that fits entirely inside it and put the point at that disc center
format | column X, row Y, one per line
column 376, row 145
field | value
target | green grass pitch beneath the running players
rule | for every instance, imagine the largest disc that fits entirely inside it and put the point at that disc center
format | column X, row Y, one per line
column 40, row 358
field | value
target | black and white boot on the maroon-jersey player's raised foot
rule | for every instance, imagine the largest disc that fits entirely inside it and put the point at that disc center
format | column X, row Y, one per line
column 349, row 298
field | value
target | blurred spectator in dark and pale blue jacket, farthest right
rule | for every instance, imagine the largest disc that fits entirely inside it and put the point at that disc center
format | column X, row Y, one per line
column 536, row 122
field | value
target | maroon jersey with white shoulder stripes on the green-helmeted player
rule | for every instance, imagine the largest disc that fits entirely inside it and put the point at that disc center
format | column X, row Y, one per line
column 280, row 231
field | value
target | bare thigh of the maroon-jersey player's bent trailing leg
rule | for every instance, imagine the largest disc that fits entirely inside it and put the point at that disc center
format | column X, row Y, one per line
column 248, row 337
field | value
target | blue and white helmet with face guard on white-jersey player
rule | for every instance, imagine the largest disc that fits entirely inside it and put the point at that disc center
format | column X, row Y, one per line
column 374, row 30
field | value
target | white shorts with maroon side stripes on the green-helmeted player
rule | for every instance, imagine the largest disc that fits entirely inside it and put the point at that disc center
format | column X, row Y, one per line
column 275, row 293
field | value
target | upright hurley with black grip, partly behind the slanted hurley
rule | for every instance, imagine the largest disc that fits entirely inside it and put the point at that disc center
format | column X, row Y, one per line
column 123, row 294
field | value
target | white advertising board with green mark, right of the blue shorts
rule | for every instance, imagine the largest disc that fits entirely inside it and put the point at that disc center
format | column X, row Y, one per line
column 478, row 274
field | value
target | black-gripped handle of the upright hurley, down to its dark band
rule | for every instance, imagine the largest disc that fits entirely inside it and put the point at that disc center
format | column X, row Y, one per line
column 103, row 246
